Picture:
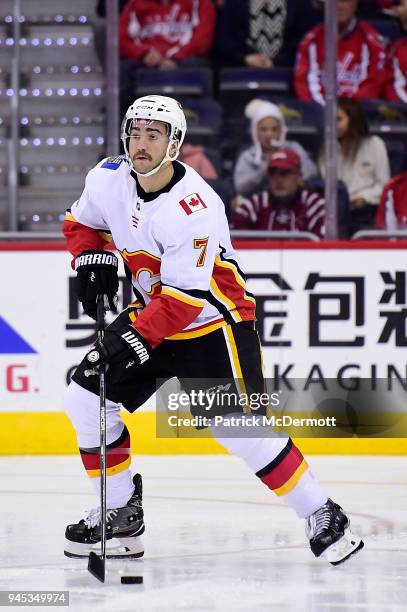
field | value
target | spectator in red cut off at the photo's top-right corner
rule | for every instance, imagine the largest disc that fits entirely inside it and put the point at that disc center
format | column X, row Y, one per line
column 396, row 84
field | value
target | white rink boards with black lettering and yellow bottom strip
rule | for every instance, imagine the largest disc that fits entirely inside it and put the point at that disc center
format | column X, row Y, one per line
column 324, row 311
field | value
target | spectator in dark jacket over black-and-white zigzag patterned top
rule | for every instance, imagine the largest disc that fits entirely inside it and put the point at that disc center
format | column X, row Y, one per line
column 250, row 32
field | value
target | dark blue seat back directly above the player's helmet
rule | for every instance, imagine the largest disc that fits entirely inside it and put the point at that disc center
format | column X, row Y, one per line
column 179, row 82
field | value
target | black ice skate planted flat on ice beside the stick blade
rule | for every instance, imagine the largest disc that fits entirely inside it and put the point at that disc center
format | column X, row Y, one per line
column 124, row 527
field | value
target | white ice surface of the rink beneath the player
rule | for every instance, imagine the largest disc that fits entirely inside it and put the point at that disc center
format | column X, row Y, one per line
column 216, row 538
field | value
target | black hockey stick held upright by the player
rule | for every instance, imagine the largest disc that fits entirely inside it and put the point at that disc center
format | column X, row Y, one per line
column 96, row 563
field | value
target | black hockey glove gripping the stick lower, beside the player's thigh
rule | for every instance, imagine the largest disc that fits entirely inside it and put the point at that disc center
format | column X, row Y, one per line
column 123, row 347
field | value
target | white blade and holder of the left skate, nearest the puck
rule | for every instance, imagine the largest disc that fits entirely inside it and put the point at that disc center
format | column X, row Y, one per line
column 118, row 548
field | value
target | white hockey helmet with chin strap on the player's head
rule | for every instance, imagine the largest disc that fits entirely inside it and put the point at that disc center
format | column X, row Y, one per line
column 156, row 108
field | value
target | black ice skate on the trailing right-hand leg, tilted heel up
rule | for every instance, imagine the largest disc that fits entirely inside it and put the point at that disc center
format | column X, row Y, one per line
column 329, row 534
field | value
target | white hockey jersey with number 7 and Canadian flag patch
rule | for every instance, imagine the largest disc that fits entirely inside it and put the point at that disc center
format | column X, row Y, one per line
column 175, row 244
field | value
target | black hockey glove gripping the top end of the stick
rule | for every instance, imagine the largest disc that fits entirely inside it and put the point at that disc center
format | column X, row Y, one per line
column 97, row 275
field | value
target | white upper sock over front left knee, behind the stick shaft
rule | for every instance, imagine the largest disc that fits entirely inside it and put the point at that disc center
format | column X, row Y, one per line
column 83, row 408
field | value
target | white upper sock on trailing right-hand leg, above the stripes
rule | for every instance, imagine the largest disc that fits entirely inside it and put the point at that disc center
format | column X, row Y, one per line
column 257, row 448
